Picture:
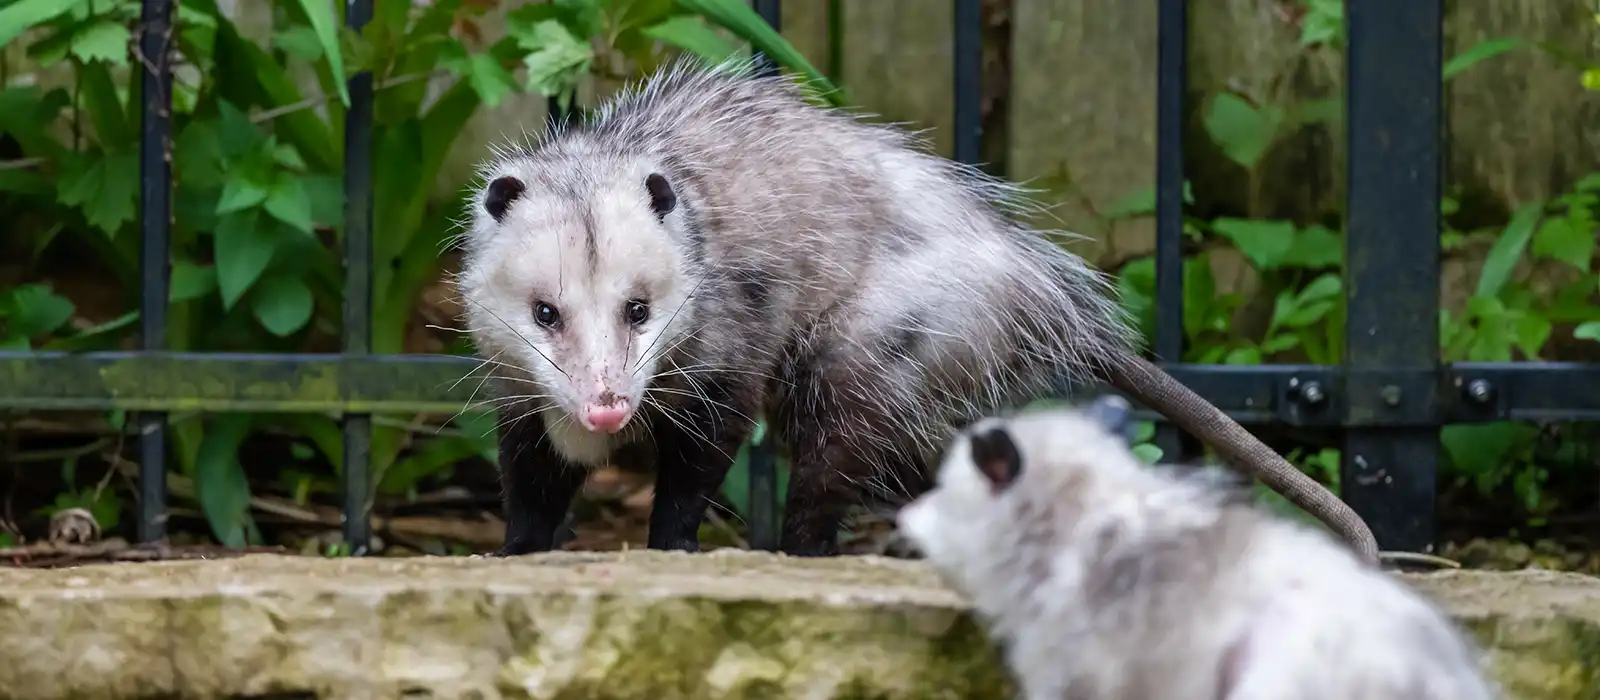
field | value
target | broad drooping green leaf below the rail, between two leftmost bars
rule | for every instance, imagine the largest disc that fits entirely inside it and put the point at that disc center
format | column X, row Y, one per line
column 220, row 480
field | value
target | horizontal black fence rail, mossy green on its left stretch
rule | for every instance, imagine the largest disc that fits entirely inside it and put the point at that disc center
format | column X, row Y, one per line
column 382, row 384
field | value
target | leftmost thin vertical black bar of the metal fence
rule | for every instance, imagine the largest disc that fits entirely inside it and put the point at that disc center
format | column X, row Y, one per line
column 156, row 23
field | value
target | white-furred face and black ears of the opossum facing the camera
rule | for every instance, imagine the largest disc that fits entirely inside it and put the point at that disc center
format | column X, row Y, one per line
column 574, row 276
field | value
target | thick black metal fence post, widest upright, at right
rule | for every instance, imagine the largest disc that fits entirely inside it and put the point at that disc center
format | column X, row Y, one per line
column 1394, row 82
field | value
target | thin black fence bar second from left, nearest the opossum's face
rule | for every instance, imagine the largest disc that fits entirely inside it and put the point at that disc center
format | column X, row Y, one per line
column 358, row 285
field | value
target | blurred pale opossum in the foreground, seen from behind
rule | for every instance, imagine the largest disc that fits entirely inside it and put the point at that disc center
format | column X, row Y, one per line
column 1105, row 579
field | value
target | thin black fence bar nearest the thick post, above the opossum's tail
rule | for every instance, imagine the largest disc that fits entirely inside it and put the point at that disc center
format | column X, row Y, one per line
column 1172, row 86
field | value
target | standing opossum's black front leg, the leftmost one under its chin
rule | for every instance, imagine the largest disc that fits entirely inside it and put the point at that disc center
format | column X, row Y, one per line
column 538, row 487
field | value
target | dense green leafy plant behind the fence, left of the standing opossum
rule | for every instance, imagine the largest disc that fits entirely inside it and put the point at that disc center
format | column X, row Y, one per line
column 258, row 180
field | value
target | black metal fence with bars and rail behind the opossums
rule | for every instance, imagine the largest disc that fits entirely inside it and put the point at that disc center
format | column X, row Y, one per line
column 1391, row 394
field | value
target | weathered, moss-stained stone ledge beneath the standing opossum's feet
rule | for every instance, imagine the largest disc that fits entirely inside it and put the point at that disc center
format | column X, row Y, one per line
column 604, row 626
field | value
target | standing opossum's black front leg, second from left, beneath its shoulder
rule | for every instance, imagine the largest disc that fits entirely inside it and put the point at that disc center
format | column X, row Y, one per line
column 695, row 451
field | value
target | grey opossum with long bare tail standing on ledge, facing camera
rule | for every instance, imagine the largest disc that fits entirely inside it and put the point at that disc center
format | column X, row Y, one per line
column 713, row 247
